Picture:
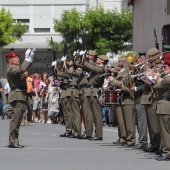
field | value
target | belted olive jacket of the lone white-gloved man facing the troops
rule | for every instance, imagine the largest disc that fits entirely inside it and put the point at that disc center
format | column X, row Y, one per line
column 17, row 79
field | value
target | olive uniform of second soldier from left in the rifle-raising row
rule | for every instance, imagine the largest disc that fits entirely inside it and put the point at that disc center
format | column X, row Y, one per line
column 73, row 98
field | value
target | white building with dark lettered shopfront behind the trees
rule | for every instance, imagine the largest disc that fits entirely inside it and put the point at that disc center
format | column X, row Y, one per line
column 38, row 16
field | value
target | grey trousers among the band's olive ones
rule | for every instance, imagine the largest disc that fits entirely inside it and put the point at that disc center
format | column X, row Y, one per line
column 141, row 123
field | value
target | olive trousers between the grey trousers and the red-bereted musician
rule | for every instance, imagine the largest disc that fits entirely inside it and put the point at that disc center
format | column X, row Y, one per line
column 153, row 126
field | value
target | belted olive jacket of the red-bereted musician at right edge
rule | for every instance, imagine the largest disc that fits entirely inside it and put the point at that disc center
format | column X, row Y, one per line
column 163, row 89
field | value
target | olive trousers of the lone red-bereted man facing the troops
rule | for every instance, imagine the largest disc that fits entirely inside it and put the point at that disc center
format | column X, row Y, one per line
column 18, row 108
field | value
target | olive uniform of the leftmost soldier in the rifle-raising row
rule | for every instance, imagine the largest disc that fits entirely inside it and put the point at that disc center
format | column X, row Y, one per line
column 65, row 103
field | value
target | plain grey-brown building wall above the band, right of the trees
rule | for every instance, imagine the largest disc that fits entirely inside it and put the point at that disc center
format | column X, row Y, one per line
column 148, row 15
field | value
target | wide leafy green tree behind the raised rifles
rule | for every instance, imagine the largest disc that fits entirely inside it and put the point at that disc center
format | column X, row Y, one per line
column 104, row 31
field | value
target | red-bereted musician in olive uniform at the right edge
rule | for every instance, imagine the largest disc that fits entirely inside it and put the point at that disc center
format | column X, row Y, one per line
column 163, row 107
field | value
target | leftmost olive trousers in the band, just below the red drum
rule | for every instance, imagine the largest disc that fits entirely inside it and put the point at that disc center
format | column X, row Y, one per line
column 120, row 123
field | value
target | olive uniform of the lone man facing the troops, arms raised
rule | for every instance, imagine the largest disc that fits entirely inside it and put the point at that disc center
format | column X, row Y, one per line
column 17, row 98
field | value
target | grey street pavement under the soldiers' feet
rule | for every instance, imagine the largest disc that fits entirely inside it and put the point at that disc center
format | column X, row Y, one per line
column 45, row 150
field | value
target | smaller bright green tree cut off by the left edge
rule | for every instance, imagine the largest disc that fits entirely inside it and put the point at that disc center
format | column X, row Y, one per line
column 9, row 32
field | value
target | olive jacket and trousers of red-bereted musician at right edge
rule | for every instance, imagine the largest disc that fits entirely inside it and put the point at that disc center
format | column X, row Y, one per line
column 163, row 113
